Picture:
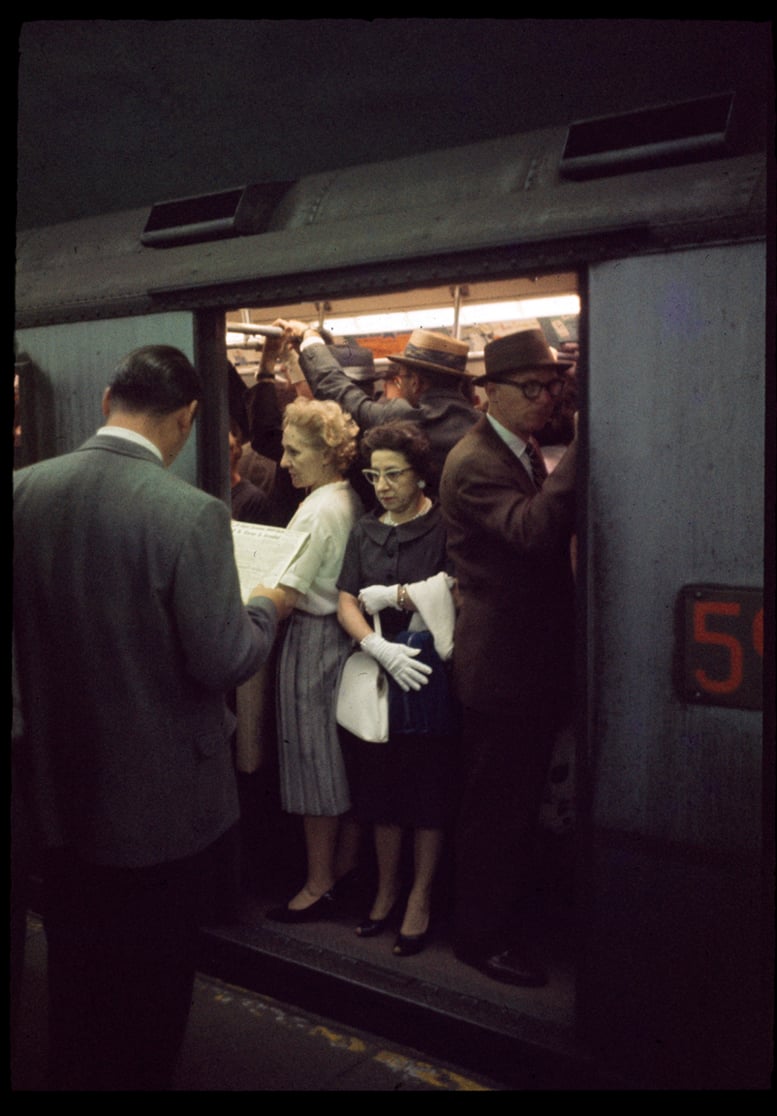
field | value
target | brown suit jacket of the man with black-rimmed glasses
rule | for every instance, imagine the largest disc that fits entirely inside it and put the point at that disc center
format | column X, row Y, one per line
column 511, row 547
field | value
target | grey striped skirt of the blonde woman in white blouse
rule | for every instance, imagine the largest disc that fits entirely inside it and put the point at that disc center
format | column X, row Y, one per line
column 313, row 780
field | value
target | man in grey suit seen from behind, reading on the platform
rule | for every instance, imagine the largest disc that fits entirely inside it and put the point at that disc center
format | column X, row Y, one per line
column 129, row 630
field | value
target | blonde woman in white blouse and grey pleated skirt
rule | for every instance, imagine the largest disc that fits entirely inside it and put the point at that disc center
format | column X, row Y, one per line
column 320, row 445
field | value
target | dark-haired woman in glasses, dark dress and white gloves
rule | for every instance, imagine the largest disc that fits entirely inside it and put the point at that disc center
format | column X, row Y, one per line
column 396, row 564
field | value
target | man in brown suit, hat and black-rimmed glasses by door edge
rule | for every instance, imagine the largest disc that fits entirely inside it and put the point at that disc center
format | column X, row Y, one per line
column 510, row 531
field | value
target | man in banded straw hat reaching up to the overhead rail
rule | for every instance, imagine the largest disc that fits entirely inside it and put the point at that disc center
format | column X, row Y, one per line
column 431, row 384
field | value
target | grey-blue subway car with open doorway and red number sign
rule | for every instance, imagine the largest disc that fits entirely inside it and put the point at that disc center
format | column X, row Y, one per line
column 654, row 228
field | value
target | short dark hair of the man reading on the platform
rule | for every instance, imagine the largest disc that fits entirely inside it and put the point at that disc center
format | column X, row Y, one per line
column 157, row 379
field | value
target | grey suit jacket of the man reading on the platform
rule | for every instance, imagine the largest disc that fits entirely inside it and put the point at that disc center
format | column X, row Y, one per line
column 129, row 628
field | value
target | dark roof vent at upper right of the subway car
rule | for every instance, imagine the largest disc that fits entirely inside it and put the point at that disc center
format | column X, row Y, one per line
column 659, row 137
